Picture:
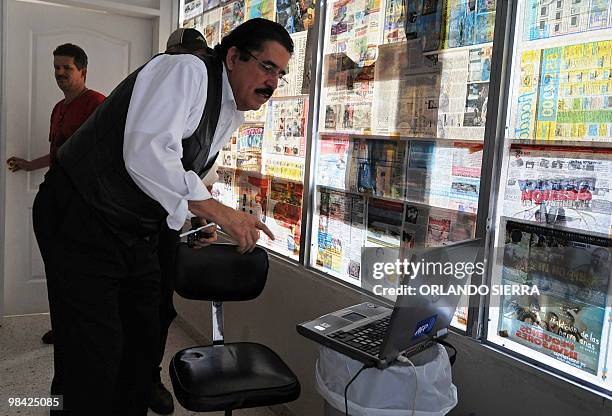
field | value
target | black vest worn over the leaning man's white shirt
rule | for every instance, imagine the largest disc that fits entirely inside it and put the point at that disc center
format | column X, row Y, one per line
column 93, row 159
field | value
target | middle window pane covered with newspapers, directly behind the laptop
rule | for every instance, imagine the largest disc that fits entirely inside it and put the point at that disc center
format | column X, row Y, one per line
column 402, row 115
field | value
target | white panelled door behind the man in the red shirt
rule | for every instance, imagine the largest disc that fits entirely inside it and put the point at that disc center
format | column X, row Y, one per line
column 115, row 45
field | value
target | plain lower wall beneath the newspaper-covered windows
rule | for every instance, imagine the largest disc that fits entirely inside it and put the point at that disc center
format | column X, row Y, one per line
column 489, row 383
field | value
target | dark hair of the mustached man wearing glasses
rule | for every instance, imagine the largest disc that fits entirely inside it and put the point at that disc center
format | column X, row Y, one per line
column 251, row 35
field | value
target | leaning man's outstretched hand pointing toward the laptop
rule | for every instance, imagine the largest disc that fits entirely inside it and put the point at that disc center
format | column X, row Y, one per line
column 242, row 227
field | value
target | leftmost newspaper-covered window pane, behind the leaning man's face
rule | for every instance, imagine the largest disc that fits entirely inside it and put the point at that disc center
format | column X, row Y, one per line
column 261, row 169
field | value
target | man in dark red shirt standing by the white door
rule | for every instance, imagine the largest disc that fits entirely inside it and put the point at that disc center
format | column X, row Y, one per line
column 70, row 64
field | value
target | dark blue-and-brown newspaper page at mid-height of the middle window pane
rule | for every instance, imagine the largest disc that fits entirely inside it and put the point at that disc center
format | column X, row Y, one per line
column 377, row 167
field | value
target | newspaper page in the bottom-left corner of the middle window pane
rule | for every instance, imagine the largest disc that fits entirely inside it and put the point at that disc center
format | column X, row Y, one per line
column 340, row 233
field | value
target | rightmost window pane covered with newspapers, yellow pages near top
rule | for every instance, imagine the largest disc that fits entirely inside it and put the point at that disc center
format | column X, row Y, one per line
column 554, row 203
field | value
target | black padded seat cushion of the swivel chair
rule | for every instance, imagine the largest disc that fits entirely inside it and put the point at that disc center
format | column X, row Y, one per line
column 231, row 376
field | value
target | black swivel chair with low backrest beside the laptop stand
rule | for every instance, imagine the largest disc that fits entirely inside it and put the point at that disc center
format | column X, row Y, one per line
column 235, row 375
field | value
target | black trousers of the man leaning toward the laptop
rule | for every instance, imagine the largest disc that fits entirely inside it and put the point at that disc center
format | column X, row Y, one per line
column 104, row 303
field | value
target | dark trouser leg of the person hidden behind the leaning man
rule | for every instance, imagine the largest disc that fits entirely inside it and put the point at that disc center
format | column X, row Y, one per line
column 168, row 244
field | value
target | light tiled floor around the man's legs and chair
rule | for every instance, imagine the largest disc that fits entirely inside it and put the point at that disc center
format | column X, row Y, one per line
column 26, row 364
